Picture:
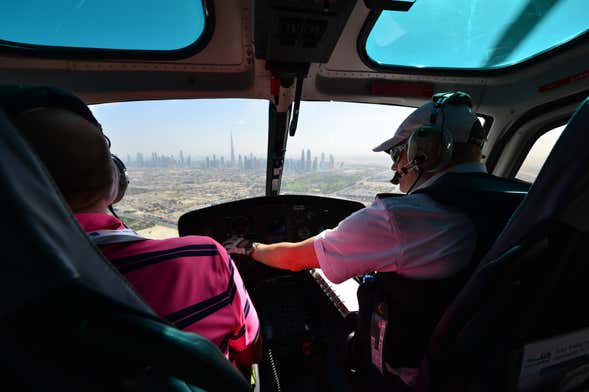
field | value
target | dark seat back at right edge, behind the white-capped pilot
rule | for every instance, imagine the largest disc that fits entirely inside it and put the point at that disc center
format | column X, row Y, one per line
column 521, row 321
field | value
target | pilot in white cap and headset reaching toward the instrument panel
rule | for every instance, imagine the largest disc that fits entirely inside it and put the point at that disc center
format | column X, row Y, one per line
column 422, row 246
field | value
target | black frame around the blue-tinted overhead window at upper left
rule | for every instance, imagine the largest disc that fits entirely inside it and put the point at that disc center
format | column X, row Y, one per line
column 73, row 53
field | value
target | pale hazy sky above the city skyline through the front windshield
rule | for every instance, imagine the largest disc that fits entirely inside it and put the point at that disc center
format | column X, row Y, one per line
column 203, row 127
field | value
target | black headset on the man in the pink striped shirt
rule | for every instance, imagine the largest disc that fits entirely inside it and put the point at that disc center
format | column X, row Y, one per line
column 16, row 100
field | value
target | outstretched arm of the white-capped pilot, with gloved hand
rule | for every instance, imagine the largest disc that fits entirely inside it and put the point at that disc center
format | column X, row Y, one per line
column 365, row 241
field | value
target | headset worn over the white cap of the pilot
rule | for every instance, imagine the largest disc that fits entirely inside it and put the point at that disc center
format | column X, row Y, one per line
column 431, row 146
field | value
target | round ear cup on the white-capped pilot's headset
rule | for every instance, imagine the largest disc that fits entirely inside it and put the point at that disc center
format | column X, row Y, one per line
column 430, row 147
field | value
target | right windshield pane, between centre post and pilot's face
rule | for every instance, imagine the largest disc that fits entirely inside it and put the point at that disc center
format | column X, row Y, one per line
column 331, row 152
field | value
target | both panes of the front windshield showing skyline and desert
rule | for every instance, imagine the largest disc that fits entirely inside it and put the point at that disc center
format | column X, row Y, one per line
column 184, row 155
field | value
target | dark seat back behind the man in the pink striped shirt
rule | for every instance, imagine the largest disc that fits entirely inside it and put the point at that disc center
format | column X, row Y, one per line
column 68, row 319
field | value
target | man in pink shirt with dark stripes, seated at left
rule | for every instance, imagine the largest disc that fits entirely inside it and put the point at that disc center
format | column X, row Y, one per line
column 190, row 281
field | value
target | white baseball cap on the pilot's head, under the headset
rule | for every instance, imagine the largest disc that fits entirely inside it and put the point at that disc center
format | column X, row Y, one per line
column 458, row 119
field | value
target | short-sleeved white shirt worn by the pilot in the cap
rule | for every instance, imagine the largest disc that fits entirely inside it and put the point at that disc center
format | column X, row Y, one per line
column 412, row 235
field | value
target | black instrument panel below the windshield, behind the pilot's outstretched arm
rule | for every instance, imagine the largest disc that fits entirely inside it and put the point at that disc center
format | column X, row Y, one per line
column 271, row 219
